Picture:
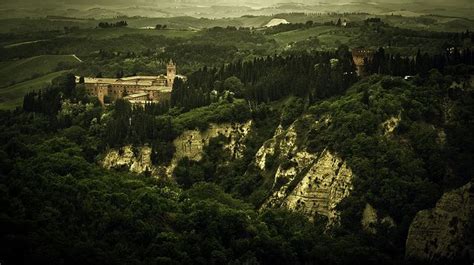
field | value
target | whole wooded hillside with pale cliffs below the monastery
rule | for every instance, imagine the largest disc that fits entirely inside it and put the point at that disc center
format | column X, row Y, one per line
column 361, row 163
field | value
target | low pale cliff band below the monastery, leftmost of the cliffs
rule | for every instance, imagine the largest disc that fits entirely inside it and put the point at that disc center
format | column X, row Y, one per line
column 189, row 144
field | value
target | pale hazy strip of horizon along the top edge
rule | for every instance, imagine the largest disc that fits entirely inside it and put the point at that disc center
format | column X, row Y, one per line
column 226, row 8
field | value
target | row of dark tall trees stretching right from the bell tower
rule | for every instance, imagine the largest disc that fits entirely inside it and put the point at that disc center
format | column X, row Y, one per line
column 315, row 76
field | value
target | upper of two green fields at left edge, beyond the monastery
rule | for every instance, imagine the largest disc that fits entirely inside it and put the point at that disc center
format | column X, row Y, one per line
column 12, row 72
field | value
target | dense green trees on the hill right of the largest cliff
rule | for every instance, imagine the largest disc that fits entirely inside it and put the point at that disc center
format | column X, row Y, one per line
column 399, row 172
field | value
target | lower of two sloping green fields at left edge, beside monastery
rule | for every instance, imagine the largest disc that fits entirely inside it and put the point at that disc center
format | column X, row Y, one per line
column 12, row 96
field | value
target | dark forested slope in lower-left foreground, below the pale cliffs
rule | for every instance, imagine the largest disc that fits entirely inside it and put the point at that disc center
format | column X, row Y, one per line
column 57, row 207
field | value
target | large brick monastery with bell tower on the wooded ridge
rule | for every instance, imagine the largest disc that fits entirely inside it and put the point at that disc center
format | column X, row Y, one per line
column 136, row 89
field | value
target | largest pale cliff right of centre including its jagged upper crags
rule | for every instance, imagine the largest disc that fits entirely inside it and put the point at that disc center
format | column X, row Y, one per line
column 304, row 181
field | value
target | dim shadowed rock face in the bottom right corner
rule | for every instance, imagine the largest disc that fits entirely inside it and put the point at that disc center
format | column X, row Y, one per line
column 443, row 232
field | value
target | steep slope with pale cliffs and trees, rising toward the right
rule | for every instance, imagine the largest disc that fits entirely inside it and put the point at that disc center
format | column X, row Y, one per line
column 368, row 160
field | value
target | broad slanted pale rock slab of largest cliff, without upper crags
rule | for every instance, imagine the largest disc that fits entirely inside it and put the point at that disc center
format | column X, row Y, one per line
column 321, row 183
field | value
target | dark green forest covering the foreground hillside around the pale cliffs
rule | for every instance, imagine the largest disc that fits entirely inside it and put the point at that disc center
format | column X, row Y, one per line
column 114, row 217
